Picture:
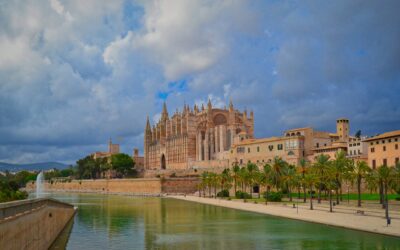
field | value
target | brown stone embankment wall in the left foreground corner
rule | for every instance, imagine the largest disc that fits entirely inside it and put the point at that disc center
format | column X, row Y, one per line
column 32, row 224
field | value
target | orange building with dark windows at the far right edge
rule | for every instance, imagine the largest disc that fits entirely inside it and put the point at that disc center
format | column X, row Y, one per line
column 384, row 149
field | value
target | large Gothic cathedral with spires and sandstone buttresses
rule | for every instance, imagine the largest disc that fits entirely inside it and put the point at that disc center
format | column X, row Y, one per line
column 195, row 138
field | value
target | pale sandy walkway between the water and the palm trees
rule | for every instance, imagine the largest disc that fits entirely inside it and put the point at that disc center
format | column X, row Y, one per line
column 343, row 216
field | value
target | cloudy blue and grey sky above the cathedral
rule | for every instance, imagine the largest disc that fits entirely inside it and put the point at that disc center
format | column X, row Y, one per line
column 75, row 73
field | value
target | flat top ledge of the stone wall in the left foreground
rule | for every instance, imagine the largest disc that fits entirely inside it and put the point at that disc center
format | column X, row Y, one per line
column 15, row 208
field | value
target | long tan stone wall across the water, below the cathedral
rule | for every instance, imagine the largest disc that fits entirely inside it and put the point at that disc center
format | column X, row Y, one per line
column 139, row 186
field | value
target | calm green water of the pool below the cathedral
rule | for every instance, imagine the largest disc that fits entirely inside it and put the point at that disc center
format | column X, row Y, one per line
column 121, row 222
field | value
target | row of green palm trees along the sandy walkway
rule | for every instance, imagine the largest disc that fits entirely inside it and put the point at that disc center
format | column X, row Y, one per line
column 325, row 175
